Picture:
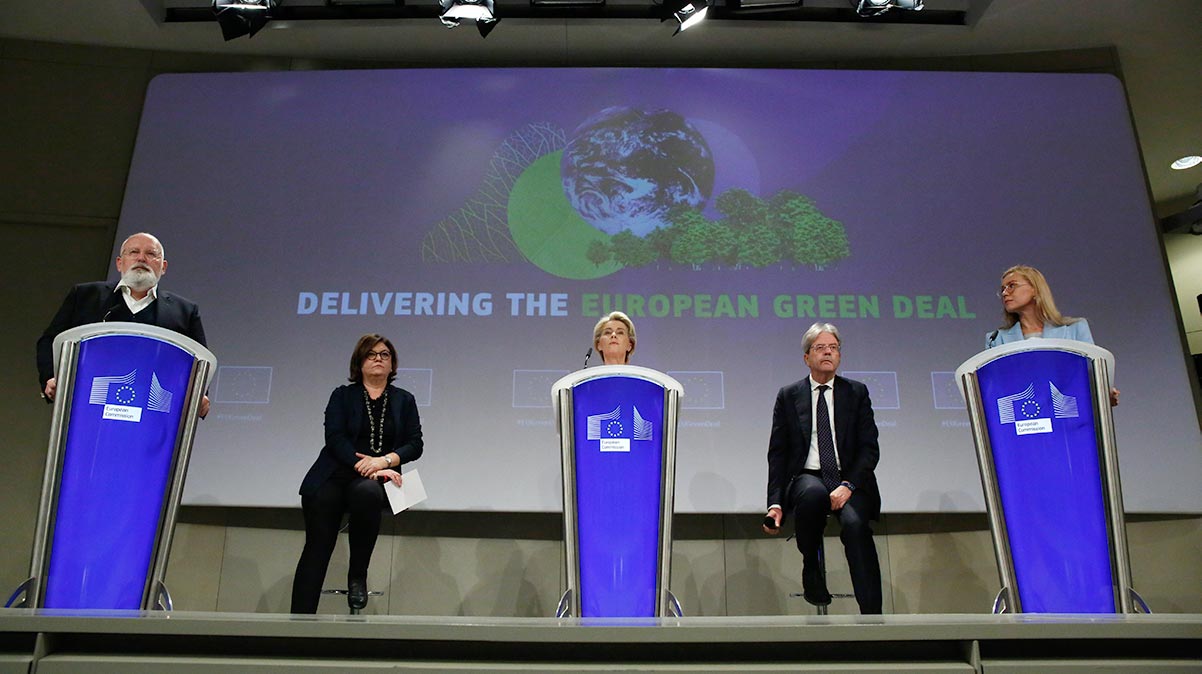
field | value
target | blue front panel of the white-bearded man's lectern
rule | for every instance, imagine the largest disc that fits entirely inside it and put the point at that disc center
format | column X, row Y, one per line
column 126, row 411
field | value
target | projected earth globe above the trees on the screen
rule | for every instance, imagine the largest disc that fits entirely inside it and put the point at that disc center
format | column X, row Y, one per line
column 628, row 169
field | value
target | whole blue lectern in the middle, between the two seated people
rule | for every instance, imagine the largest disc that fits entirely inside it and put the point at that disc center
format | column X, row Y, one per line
column 617, row 430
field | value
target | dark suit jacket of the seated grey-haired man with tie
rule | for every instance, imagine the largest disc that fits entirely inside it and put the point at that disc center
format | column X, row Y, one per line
column 855, row 436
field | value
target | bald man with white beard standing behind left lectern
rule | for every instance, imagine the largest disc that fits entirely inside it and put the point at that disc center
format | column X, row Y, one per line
column 135, row 299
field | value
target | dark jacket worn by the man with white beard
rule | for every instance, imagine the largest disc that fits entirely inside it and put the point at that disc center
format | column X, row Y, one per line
column 90, row 303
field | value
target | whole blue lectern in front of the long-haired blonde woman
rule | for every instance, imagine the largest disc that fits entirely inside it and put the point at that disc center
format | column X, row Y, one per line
column 1045, row 438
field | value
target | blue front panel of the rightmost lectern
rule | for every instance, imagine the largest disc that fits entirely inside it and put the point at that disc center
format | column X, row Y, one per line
column 1043, row 434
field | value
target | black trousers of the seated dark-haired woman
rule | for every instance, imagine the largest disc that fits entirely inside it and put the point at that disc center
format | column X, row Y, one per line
column 365, row 500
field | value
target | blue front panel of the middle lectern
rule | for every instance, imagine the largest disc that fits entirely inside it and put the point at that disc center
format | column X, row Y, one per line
column 618, row 426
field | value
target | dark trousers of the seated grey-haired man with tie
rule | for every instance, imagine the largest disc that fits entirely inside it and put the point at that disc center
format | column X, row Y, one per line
column 812, row 505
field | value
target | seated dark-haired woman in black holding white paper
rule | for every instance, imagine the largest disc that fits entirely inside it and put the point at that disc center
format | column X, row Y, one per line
column 372, row 428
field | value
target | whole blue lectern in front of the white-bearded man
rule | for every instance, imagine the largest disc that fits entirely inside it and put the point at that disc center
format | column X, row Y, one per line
column 124, row 419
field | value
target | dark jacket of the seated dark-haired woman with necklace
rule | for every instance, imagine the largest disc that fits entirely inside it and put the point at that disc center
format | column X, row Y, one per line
column 347, row 416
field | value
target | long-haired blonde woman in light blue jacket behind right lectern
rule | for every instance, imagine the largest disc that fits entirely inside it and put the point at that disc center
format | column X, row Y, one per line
column 1030, row 312
